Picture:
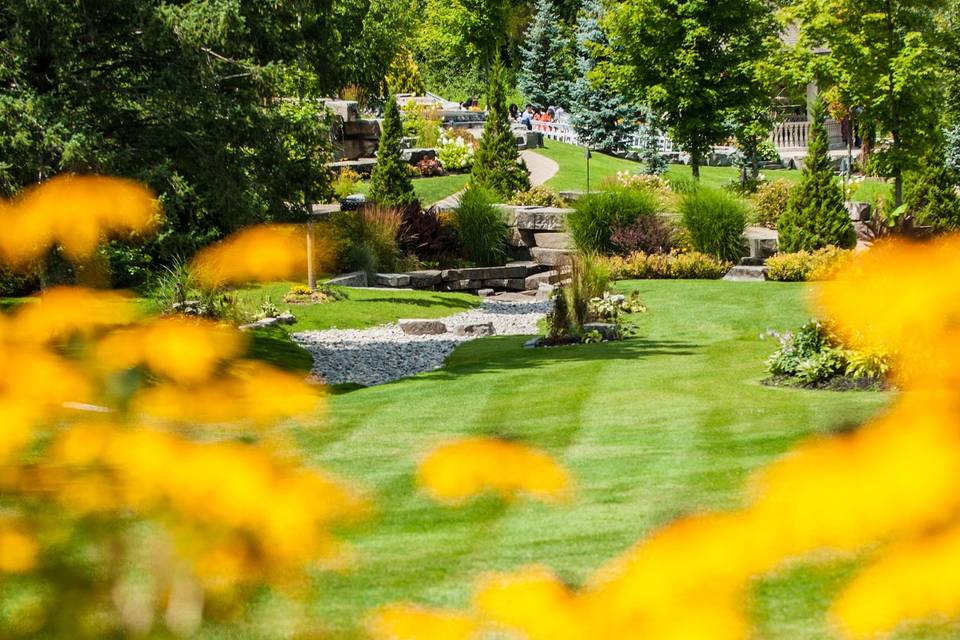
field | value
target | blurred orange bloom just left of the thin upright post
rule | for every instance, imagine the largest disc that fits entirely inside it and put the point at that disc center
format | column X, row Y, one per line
column 263, row 253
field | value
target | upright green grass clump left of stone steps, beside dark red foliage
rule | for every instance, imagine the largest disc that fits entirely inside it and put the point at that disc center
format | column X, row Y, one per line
column 481, row 227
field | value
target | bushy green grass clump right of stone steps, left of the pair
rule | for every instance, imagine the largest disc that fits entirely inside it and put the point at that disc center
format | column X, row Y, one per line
column 596, row 217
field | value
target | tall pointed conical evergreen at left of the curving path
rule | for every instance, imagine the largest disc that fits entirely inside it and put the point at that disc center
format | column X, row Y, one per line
column 497, row 165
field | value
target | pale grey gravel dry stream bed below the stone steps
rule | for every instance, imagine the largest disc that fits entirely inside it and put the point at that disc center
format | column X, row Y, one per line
column 382, row 354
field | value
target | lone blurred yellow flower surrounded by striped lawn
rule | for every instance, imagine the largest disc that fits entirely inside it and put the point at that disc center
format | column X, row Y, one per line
column 463, row 469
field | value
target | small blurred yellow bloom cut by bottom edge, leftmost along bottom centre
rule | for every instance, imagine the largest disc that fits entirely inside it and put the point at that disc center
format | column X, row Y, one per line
column 412, row 622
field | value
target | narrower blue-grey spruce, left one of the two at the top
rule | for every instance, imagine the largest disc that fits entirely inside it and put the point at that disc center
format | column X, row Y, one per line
column 544, row 75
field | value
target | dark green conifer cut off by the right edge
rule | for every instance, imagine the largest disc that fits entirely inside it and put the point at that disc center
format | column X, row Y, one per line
column 932, row 194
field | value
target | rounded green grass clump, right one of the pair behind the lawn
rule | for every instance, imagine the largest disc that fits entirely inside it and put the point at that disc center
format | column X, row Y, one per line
column 715, row 220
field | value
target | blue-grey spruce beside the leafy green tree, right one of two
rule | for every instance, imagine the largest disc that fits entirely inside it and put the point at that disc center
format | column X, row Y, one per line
column 604, row 120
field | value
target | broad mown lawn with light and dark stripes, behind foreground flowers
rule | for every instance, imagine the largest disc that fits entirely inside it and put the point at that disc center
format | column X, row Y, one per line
column 654, row 427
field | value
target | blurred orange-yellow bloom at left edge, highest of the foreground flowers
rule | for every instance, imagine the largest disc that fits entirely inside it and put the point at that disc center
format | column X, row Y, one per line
column 75, row 212
